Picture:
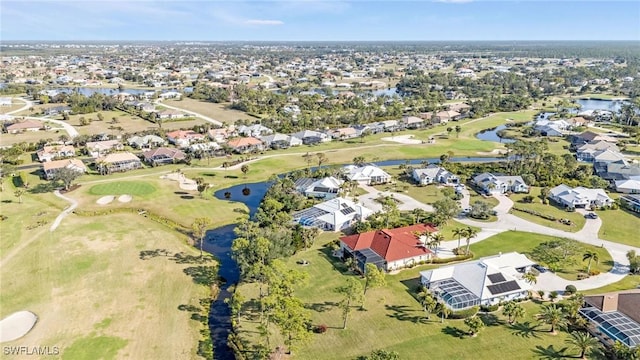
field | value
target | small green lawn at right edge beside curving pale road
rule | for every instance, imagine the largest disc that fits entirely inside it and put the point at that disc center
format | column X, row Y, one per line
column 620, row 226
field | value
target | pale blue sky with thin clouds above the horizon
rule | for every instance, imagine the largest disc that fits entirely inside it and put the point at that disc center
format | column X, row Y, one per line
column 319, row 20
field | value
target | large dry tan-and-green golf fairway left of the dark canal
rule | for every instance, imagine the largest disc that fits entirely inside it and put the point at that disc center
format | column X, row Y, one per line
column 94, row 296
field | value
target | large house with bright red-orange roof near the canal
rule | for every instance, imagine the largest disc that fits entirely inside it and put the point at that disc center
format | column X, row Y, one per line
column 389, row 249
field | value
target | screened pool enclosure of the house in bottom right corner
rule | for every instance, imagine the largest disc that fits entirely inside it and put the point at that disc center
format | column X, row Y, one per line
column 615, row 324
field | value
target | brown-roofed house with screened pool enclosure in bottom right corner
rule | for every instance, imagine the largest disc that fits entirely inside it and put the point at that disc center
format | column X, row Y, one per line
column 614, row 317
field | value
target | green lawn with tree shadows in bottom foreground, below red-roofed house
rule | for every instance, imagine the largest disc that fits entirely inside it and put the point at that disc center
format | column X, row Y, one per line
column 393, row 320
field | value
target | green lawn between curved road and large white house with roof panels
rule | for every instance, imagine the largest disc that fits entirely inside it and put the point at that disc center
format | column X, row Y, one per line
column 524, row 242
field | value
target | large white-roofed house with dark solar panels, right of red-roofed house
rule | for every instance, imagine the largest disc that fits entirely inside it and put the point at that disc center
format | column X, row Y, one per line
column 486, row 281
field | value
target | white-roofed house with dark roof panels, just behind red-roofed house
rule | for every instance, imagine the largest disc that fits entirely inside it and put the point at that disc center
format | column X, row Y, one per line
column 332, row 215
